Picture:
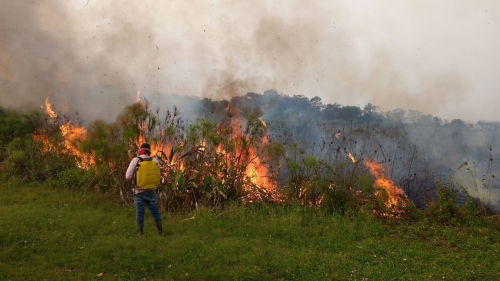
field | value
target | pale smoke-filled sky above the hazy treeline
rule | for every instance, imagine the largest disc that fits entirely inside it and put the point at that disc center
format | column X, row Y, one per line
column 439, row 57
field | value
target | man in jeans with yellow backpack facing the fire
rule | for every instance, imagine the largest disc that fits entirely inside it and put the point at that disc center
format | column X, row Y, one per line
column 144, row 171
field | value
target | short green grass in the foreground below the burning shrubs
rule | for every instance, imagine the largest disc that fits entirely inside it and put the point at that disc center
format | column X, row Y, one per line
column 51, row 234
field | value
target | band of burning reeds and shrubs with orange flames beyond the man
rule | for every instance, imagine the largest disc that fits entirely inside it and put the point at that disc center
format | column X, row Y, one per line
column 220, row 159
